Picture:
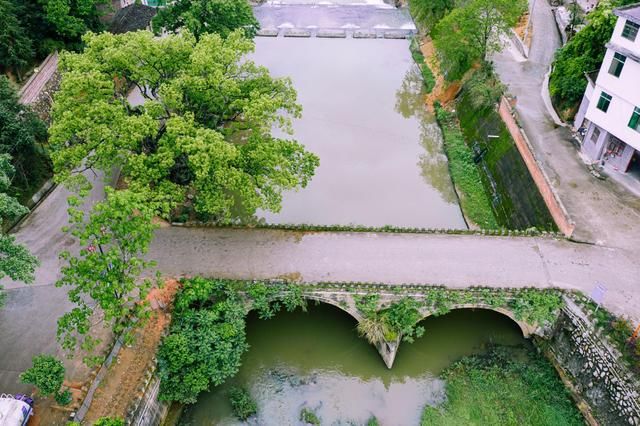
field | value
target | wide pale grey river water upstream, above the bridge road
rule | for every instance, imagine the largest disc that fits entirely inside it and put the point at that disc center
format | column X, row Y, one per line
column 381, row 158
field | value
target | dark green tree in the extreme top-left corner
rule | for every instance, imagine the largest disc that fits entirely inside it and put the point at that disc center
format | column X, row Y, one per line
column 16, row 48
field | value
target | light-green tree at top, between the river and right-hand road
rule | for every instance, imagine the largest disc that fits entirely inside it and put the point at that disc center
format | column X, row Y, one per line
column 471, row 32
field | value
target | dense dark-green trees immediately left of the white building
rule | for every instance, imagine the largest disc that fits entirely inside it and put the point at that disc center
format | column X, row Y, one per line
column 584, row 53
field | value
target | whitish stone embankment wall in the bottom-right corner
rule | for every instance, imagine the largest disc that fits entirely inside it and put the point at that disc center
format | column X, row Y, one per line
column 595, row 369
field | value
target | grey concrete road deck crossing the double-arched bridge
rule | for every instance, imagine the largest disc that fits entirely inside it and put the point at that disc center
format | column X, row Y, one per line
column 452, row 260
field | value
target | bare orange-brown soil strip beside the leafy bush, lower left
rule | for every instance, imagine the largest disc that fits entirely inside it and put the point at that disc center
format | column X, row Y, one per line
column 126, row 374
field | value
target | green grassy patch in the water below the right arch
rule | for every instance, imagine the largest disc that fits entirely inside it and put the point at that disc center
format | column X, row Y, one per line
column 508, row 386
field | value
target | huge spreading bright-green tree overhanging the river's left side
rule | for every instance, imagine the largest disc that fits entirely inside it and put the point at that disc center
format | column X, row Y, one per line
column 201, row 129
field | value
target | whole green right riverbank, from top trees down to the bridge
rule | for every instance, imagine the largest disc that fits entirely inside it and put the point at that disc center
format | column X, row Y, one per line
column 493, row 184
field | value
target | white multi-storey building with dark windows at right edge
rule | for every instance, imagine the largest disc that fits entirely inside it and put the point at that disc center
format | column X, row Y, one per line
column 610, row 109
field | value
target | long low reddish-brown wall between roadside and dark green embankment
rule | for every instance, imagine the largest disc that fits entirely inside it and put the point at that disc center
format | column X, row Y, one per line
column 557, row 210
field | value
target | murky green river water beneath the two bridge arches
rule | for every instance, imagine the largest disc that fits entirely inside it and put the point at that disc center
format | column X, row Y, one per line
column 317, row 360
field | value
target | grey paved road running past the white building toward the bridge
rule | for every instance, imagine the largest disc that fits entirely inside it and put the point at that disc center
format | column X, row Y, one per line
column 604, row 212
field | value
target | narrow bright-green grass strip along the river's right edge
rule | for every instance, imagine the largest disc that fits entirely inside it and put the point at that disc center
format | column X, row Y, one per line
column 464, row 173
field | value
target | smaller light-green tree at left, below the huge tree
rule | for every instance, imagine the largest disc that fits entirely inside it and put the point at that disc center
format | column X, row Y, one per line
column 105, row 275
